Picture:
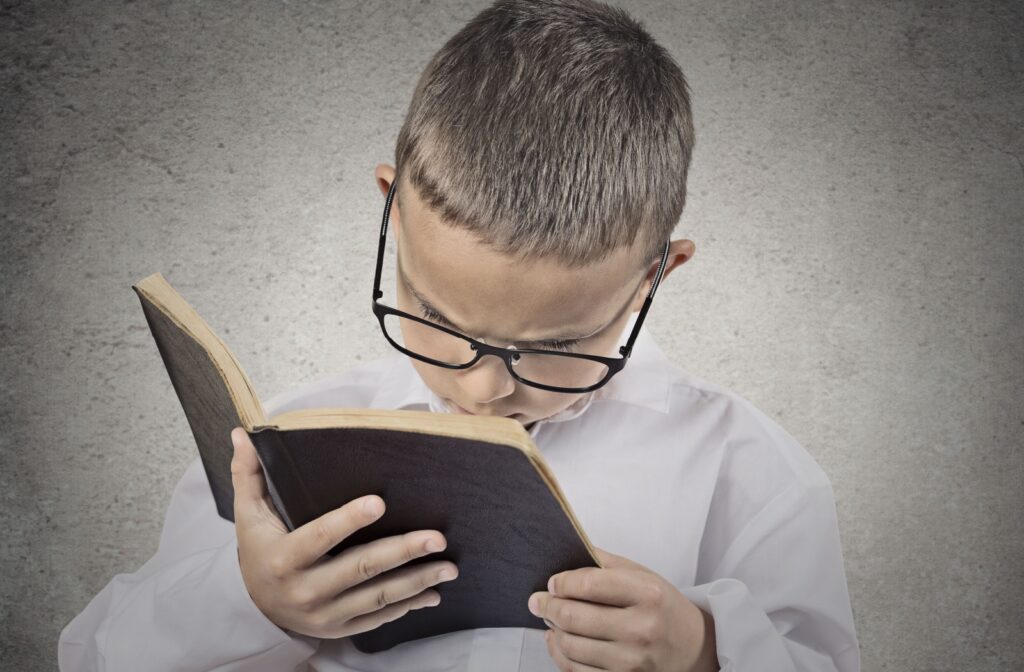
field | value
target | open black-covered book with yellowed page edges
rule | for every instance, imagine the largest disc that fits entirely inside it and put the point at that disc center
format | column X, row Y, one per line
column 480, row 481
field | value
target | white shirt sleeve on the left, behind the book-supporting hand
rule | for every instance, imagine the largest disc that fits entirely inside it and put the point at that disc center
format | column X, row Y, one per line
column 187, row 609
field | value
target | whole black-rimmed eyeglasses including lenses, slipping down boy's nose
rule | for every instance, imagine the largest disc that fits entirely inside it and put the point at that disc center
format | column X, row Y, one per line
column 551, row 370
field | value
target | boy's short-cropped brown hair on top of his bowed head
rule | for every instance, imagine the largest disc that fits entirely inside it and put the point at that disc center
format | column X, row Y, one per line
column 551, row 130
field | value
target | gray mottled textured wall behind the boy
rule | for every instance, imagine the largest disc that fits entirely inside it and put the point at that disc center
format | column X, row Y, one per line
column 856, row 200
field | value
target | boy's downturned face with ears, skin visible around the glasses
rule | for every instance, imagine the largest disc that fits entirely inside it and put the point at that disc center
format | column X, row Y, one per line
column 490, row 297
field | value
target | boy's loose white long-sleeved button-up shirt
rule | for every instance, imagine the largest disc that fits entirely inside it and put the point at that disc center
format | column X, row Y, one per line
column 678, row 475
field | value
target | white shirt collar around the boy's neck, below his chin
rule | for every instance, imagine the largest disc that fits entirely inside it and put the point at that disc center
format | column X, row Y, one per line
column 646, row 382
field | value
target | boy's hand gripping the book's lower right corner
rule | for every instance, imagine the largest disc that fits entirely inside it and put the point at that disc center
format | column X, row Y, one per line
column 623, row 617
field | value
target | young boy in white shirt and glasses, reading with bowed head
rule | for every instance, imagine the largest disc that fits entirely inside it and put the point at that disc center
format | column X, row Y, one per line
column 541, row 171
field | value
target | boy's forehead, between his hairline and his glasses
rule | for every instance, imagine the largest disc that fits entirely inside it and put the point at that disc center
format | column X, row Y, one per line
column 488, row 293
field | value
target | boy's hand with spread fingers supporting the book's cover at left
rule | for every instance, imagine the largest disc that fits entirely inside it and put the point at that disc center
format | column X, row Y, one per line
column 301, row 589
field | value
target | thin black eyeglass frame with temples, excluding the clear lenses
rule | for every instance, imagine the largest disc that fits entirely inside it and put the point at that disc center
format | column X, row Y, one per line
column 615, row 365
